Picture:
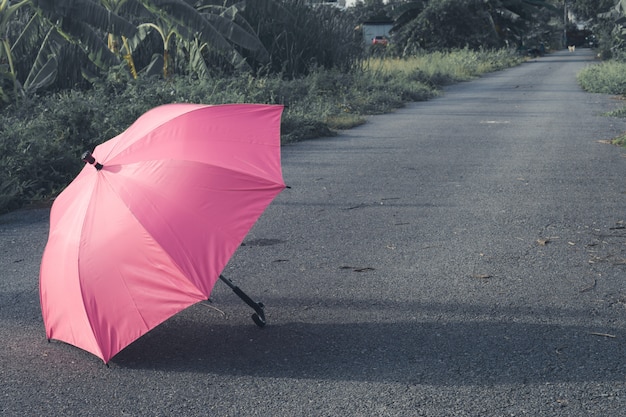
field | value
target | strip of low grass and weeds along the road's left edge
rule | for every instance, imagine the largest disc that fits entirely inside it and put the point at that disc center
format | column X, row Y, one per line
column 41, row 138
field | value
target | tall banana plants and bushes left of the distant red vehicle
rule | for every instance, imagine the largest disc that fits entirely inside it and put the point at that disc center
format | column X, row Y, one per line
column 52, row 46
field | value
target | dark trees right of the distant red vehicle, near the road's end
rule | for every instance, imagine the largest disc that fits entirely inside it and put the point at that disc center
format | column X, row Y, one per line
column 440, row 24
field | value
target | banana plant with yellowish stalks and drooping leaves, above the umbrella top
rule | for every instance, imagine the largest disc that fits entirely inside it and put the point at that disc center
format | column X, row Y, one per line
column 198, row 33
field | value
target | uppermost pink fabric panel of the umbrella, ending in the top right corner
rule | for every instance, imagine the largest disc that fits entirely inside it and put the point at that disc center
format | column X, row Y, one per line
column 235, row 136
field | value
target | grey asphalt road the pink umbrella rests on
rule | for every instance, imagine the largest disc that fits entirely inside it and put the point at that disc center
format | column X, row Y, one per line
column 464, row 256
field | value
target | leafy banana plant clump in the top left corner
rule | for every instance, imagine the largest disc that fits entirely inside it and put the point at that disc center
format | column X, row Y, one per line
column 54, row 42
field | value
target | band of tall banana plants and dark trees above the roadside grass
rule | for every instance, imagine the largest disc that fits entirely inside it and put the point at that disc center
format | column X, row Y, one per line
column 52, row 46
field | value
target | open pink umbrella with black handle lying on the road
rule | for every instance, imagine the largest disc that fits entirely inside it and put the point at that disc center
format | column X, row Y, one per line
column 146, row 230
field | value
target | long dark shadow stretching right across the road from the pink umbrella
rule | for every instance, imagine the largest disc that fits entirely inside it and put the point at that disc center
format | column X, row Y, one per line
column 412, row 352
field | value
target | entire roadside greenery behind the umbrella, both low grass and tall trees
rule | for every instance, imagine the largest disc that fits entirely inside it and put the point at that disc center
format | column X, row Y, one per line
column 75, row 73
